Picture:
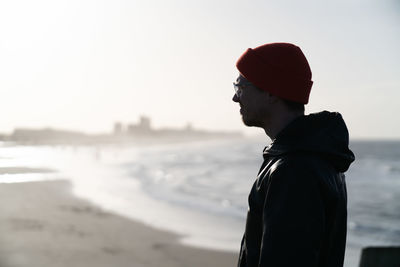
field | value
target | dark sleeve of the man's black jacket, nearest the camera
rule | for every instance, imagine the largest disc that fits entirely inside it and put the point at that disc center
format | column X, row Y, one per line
column 293, row 217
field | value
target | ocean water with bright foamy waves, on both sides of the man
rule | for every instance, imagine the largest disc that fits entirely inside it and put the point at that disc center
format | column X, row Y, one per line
column 199, row 189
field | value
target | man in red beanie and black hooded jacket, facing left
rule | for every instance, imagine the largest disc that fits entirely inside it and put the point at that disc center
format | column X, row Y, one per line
column 297, row 212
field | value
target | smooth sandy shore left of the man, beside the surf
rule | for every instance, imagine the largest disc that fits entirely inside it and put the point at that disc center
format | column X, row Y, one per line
column 43, row 225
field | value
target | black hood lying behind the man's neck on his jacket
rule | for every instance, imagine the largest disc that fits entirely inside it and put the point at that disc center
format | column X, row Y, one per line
column 324, row 133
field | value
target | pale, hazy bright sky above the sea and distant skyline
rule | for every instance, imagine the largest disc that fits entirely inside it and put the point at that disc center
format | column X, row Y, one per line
column 83, row 65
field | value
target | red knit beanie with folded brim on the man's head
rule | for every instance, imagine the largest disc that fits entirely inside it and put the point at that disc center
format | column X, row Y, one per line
column 279, row 68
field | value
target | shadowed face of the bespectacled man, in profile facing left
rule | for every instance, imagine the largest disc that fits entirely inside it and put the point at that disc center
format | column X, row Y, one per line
column 253, row 102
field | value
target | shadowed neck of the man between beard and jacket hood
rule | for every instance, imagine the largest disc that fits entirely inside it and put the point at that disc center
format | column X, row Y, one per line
column 278, row 122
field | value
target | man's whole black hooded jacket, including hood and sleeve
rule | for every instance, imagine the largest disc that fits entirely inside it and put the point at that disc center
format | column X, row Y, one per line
column 298, row 204
